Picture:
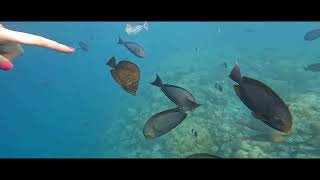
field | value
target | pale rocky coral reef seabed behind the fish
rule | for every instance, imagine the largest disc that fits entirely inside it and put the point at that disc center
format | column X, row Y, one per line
column 216, row 120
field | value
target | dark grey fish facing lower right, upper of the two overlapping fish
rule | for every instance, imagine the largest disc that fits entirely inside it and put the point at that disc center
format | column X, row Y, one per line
column 178, row 95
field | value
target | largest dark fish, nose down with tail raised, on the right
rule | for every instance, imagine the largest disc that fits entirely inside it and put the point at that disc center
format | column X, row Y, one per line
column 263, row 101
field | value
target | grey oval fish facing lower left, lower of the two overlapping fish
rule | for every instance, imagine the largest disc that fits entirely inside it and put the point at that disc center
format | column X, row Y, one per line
column 163, row 122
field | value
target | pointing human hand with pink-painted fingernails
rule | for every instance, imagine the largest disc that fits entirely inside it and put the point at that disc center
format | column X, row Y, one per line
column 10, row 46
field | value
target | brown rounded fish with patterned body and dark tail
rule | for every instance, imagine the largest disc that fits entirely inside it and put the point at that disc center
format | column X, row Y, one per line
column 126, row 74
